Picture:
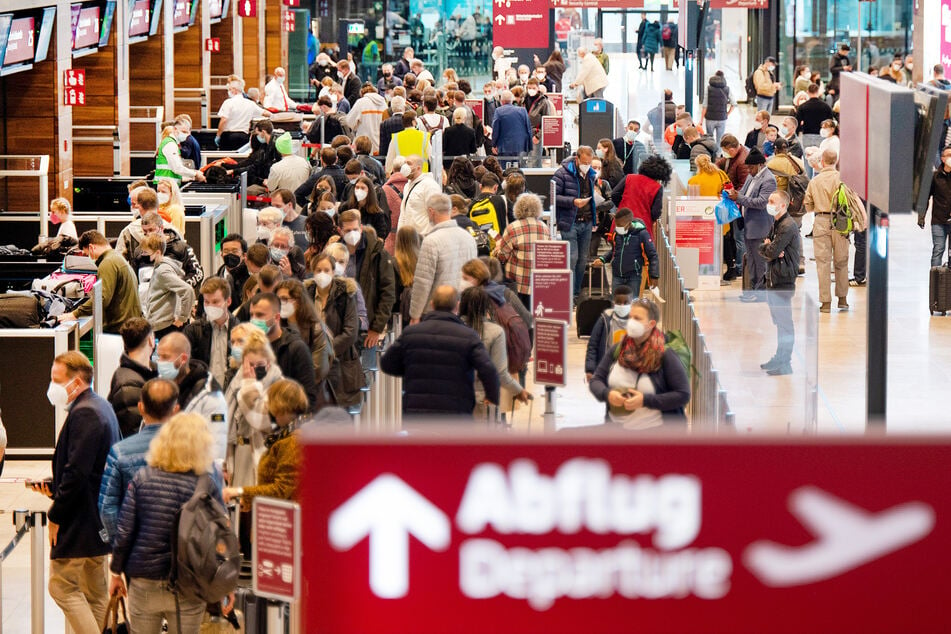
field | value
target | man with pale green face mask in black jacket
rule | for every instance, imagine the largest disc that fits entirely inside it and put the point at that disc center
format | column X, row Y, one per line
column 292, row 353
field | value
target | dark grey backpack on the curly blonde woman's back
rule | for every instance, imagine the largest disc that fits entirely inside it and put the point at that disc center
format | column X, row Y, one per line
column 206, row 558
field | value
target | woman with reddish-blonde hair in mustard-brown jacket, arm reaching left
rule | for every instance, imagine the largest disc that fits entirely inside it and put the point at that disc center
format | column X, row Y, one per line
column 279, row 467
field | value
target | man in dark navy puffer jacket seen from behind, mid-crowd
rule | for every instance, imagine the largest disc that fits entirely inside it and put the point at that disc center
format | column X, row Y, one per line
column 437, row 359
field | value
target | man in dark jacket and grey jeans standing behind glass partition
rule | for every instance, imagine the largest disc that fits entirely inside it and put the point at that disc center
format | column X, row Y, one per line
column 781, row 250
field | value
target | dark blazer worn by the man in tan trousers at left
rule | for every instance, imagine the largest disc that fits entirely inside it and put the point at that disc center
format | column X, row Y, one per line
column 79, row 459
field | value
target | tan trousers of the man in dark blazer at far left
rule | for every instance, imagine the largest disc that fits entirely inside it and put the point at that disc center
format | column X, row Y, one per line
column 78, row 586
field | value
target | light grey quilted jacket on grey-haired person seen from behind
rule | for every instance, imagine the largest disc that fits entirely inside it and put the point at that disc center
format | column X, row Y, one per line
column 445, row 249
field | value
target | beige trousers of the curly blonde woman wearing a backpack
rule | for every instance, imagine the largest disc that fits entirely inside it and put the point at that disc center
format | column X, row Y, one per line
column 151, row 602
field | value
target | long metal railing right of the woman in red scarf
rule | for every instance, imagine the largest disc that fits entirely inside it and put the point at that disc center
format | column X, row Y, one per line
column 708, row 409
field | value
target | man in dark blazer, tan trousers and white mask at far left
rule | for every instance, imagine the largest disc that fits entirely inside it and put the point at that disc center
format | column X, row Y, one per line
column 77, row 580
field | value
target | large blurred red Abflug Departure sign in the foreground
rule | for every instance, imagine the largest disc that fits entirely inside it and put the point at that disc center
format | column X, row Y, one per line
column 608, row 533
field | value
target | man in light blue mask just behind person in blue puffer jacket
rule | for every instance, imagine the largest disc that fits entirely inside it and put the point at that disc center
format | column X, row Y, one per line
column 198, row 391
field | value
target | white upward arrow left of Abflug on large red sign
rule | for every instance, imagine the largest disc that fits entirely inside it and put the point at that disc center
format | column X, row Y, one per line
column 388, row 511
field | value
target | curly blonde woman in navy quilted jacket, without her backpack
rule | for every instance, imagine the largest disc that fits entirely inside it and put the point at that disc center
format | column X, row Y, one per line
column 178, row 463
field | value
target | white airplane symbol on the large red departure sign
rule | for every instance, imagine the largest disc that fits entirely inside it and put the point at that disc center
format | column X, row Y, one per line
column 847, row 537
